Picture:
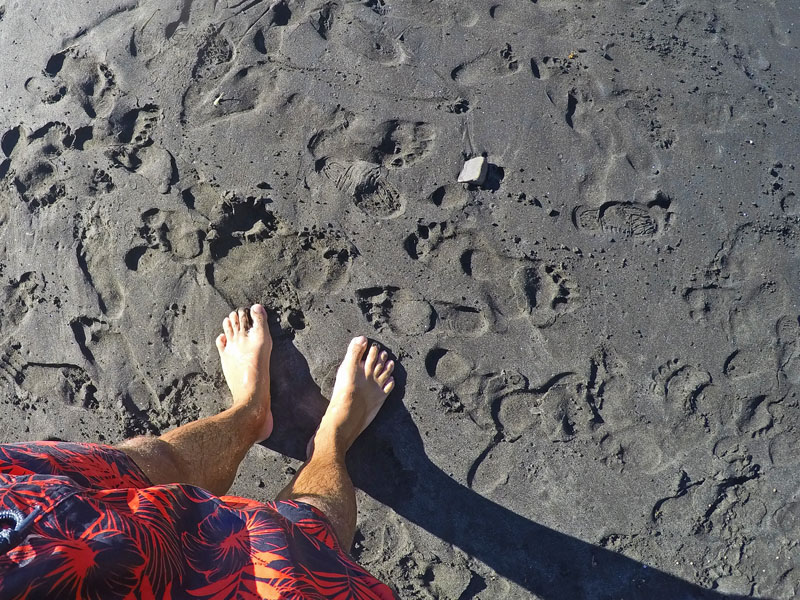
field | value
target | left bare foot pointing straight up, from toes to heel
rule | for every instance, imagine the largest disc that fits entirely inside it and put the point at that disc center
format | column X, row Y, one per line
column 244, row 350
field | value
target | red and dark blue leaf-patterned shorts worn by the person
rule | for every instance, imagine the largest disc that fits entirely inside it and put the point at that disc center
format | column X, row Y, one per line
column 101, row 530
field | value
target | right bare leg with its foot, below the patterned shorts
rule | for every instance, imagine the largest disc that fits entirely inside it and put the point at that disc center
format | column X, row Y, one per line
column 362, row 384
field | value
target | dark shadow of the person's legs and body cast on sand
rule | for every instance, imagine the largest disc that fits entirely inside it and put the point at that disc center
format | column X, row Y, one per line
column 389, row 463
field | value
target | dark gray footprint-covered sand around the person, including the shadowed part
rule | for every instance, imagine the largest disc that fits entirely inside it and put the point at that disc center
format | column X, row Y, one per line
column 600, row 345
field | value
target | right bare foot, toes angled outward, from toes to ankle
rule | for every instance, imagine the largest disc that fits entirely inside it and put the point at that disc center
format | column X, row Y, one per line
column 362, row 385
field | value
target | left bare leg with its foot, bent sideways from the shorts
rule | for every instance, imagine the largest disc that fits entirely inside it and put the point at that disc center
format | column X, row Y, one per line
column 207, row 452
